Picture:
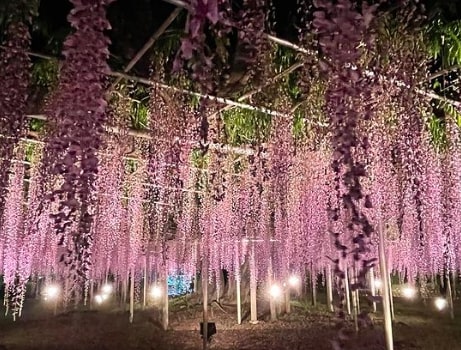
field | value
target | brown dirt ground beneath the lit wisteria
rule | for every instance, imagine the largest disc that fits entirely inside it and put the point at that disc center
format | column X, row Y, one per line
column 416, row 327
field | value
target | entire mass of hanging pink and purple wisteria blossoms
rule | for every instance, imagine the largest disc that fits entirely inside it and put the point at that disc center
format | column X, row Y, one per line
column 113, row 211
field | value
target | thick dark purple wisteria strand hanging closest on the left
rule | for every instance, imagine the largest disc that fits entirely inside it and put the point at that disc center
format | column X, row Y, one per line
column 77, row 116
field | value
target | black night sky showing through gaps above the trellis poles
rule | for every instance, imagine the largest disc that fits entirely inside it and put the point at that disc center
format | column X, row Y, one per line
column 134, row 21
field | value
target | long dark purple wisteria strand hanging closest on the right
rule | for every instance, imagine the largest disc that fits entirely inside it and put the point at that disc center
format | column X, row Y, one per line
column 342, row 30
